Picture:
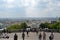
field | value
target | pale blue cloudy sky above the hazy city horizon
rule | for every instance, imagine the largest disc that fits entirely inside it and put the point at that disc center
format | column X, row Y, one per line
column 29, row 8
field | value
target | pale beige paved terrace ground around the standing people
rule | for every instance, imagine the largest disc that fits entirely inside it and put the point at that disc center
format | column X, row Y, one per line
column 32, row 36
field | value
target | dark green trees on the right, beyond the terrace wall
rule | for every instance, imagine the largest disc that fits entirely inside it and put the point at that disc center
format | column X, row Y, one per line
column 50, row 25
